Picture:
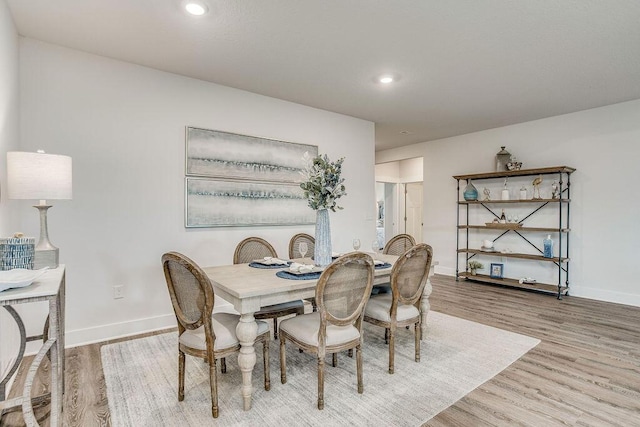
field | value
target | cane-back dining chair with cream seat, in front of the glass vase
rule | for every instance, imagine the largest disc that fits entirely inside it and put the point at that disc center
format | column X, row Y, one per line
column 342, row 292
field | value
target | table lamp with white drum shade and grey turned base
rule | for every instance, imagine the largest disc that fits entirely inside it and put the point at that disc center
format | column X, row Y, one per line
column 43, row 177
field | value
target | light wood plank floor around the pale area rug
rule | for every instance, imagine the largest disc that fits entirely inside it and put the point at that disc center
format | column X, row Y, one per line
column 585, row 372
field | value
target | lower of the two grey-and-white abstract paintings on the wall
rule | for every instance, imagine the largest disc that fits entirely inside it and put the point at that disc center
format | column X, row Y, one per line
column 224, row 203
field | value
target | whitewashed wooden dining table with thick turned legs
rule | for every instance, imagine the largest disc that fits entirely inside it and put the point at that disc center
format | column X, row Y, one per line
column 248, row 289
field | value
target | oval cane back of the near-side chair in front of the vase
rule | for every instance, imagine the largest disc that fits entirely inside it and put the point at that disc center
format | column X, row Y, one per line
column 343, row 290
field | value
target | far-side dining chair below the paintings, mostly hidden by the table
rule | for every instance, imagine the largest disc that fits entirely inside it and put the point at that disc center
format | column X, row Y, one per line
column 253, row 248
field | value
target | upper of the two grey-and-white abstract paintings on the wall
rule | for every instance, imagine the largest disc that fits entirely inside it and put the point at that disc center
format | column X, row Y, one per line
column 217, row 154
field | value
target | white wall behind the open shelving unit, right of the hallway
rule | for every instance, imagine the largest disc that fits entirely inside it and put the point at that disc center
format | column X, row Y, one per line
column 602, row 144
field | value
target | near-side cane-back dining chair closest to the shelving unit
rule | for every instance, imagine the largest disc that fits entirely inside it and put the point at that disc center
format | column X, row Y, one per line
column 402, row 307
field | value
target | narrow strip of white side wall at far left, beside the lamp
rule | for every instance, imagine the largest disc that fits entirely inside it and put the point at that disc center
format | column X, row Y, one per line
column 9, row 135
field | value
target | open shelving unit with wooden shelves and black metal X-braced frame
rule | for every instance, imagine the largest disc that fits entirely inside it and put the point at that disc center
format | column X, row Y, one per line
column 559, row 228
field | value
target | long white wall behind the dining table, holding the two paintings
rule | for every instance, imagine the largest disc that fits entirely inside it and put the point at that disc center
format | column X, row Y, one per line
column 124, row 126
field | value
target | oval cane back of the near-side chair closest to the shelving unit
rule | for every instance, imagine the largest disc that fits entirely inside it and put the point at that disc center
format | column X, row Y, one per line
column 409, row 275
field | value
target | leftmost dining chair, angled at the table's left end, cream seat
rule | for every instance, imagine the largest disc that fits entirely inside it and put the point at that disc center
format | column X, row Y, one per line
column 202, row 333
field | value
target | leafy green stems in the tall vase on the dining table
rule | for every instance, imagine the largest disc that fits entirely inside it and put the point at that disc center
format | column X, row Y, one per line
column 322, row 184
